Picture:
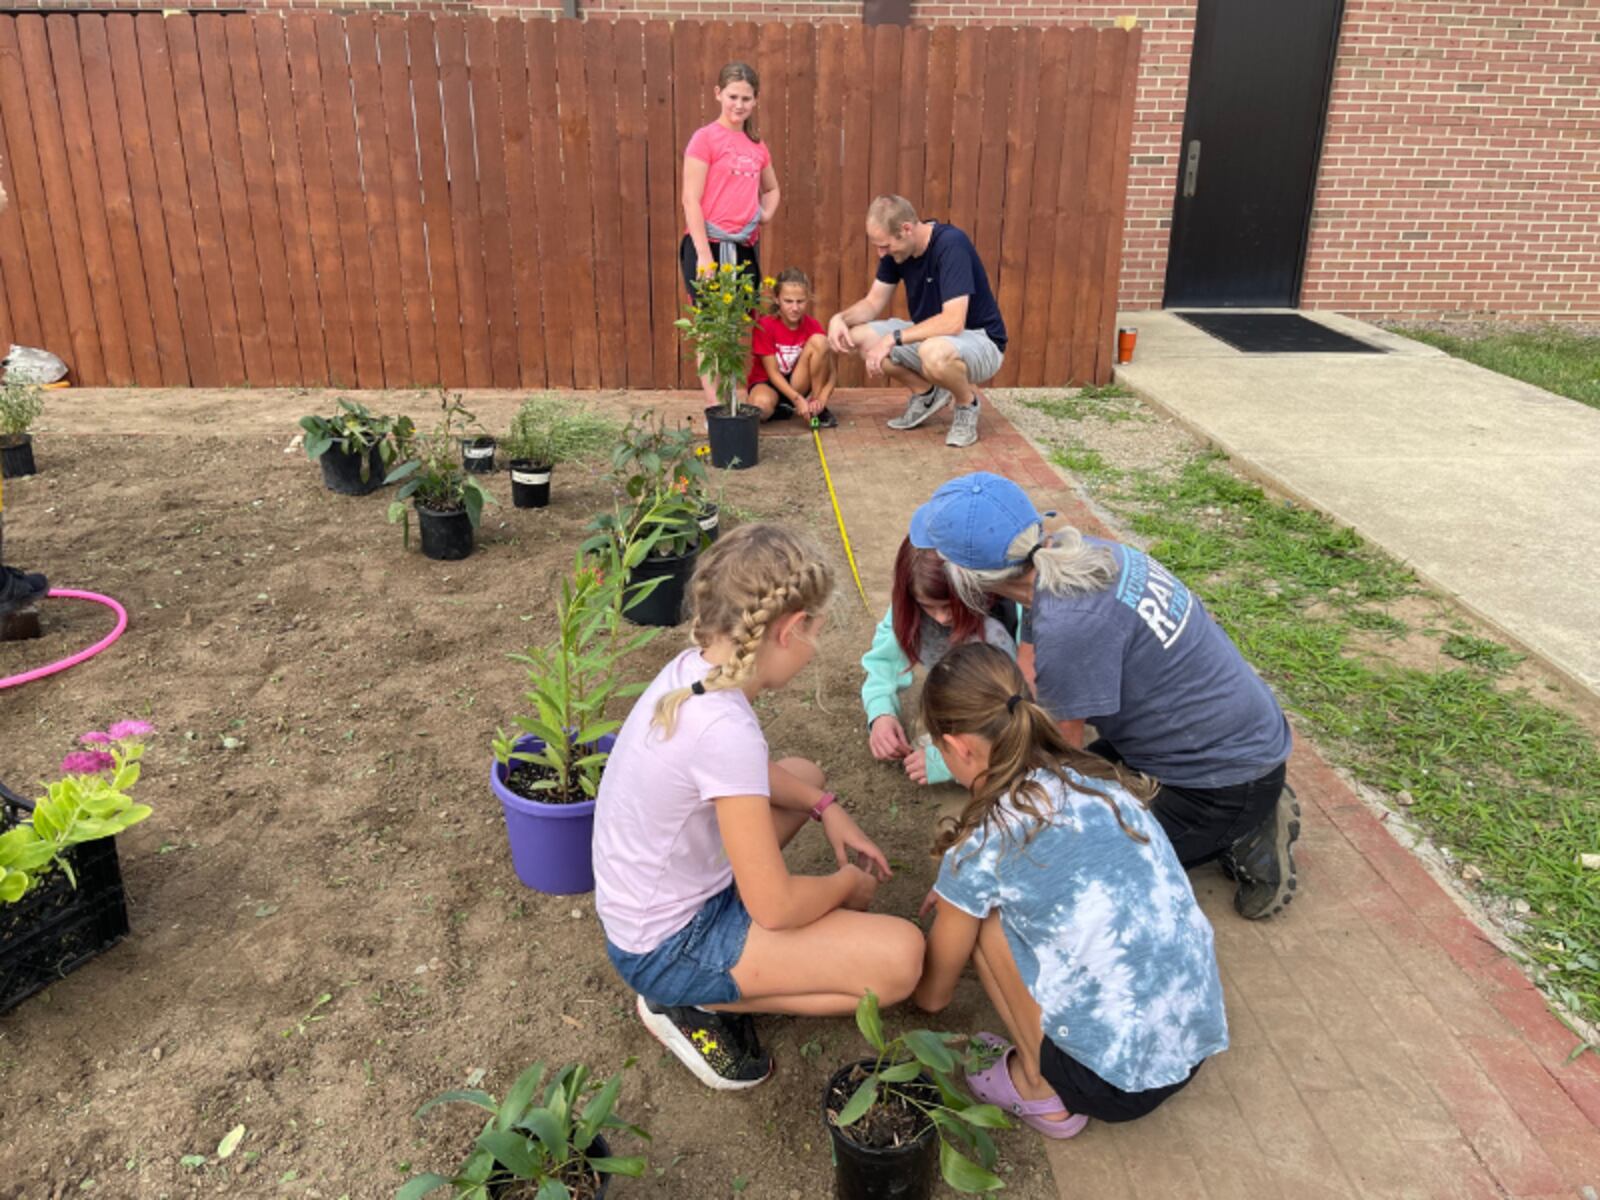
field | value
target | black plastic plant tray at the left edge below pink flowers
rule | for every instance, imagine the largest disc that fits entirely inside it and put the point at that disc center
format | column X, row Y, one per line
column 55, row 929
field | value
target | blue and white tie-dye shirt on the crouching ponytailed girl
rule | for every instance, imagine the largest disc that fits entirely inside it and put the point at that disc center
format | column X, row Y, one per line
column 1105, row 930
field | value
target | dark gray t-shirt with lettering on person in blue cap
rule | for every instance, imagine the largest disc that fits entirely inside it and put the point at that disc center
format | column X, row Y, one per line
column 1158, row 678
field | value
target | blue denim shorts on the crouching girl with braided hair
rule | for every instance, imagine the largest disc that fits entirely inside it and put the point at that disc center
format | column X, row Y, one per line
column 692, row 967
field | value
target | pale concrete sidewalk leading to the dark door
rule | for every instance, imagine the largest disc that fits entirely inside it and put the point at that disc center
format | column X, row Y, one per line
column 1484, row 484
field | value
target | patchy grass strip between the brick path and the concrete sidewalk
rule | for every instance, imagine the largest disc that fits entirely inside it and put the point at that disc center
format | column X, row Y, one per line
column 1502, row 780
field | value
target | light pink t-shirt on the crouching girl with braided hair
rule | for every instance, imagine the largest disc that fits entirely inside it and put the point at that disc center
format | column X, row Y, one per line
column 657, row 850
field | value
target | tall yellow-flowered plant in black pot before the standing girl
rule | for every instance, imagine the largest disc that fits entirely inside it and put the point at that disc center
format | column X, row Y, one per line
column 718, row 324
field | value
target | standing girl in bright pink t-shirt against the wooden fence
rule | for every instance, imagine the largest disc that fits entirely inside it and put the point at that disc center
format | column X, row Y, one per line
column 730, row 190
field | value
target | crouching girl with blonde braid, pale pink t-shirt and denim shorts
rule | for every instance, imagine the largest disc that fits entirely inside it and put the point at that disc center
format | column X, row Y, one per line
column 703, row 918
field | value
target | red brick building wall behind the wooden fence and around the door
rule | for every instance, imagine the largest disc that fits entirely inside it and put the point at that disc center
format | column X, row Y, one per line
column 1462, row 167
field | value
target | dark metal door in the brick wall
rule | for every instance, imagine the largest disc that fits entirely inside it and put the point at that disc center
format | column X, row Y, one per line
column 1258, row 94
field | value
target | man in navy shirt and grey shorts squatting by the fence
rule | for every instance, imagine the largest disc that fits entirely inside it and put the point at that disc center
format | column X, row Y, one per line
column 956, row 337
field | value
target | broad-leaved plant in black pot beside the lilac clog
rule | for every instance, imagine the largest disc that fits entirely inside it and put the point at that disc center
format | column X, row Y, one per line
column 898, row 1114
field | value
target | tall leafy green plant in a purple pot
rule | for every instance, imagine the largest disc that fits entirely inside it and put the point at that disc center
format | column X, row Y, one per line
column 546, row 775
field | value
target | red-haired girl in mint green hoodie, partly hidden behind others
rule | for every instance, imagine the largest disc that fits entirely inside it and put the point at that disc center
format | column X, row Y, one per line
column 924, row 622
